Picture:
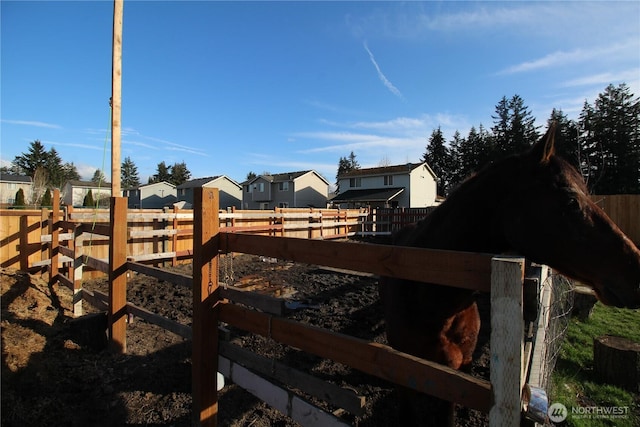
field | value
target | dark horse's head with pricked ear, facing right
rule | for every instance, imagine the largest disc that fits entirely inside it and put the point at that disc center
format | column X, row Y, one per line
column 550, row 217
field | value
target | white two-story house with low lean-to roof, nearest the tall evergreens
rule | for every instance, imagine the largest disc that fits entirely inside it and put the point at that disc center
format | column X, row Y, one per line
column 412, row 185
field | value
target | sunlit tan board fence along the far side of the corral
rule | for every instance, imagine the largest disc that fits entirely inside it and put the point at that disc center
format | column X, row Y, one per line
column 157, row 236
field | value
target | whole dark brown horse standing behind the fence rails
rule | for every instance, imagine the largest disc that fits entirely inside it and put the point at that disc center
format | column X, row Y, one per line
column 534, row 204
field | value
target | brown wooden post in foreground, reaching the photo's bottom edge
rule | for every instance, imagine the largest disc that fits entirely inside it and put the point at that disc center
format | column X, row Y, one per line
column 204, row 357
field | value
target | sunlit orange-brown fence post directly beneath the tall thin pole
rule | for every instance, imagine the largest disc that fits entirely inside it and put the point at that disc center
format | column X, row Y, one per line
column 118, row 276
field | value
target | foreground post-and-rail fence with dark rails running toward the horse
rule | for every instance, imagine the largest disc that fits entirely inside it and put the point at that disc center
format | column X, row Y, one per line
column 212, row 304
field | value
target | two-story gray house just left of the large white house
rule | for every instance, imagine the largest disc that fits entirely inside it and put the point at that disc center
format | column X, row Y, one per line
column 285, row 190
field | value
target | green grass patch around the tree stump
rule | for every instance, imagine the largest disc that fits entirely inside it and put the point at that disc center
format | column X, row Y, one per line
column 573, row 382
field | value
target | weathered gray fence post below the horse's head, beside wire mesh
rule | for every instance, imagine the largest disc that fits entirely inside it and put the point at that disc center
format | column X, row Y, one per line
column 507, row 330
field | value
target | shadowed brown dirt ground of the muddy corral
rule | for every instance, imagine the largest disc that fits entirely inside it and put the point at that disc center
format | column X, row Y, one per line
column 51, row 375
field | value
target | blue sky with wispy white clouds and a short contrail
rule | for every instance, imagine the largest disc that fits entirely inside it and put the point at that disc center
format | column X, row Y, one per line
column 234, row 87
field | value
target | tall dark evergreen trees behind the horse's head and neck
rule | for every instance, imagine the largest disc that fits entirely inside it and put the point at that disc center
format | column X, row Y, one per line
column 603, row 144
